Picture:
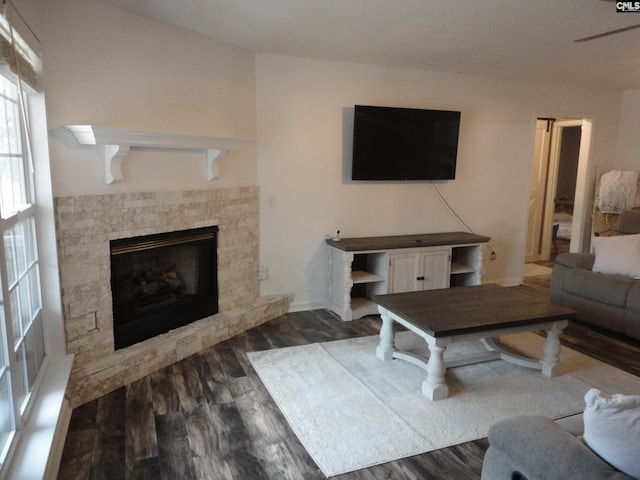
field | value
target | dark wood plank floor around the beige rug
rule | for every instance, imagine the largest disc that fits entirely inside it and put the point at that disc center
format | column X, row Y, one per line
column 209, row 416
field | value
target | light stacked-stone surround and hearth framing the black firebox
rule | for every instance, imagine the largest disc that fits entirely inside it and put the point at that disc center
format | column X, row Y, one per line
column 84, row 227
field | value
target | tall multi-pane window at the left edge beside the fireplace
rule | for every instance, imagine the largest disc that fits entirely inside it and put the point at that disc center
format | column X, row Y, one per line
column 22, row 351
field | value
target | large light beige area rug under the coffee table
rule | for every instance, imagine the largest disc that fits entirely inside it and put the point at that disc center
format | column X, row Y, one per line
column 350, row 410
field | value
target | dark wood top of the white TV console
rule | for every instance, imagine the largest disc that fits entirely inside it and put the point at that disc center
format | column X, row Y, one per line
column 406, row 241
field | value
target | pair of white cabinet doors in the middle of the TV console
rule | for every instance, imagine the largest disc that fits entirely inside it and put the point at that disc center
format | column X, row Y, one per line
column 414, row 271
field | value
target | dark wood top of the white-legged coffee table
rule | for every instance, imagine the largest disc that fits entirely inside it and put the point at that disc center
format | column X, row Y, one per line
column 460, row 310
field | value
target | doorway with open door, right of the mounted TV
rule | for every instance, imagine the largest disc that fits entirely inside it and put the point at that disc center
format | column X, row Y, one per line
column 557, row 213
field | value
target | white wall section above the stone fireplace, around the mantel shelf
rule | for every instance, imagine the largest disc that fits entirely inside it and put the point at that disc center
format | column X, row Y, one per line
column 107, row 67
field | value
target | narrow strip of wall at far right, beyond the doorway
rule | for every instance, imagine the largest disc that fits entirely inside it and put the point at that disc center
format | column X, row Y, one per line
column 628, row 155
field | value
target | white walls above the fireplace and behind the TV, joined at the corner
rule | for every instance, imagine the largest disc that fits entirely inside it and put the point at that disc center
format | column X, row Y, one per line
column 112, row 68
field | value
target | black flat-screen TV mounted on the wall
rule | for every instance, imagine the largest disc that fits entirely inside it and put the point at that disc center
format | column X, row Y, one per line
column 391, row 143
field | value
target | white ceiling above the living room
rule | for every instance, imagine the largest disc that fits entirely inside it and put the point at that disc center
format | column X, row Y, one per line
column 519, row 39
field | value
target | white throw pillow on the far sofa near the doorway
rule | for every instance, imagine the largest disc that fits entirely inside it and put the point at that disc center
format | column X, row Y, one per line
column 619, row 254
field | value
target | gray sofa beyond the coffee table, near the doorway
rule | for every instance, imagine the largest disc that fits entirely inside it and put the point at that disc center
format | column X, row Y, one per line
column 606, row 300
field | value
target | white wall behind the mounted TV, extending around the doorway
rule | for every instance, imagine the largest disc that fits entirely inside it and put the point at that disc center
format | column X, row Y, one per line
column 304, row 115
